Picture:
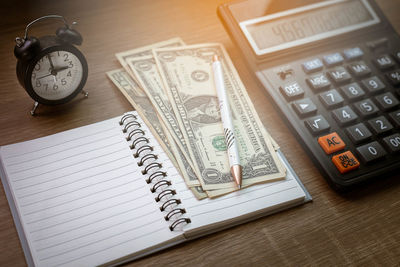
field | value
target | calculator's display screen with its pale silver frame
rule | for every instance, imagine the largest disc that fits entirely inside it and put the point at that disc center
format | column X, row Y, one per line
column 307, row 24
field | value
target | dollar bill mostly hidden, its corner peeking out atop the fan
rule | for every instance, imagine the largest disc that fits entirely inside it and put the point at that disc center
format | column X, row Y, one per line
column 145, row 51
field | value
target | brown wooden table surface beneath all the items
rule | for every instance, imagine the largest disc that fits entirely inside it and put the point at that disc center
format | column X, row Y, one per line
column 362, row 228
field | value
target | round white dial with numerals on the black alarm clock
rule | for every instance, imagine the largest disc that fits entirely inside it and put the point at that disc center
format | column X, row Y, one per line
column 56, row 75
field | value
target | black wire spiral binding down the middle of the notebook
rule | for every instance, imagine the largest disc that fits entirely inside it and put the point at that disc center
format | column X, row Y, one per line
column 156, row 176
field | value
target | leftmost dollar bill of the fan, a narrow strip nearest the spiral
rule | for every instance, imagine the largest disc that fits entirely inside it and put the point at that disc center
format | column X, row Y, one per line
column 143, row 106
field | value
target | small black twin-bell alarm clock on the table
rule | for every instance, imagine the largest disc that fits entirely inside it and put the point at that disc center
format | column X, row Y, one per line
column 50, row 68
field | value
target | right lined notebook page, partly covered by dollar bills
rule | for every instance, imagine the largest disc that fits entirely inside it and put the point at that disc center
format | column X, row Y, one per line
column 210, row 214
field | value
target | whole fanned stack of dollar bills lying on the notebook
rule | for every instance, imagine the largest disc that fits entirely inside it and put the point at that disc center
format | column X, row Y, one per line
column 170, row 84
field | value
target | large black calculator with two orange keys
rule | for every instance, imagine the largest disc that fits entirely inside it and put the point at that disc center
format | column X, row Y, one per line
column 333, row 70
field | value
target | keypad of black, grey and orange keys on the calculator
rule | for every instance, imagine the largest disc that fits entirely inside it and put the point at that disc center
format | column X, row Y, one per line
column 349, row 101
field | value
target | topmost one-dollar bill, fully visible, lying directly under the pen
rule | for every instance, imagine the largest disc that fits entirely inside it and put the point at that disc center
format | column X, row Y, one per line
column 188, row 80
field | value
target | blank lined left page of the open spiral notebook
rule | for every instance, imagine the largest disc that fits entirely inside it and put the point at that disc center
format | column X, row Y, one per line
column 81, row 197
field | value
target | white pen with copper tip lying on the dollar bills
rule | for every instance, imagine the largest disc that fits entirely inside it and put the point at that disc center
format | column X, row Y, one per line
column 226, row 117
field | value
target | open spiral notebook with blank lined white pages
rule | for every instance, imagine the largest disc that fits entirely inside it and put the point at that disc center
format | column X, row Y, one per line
column 88, row 196
